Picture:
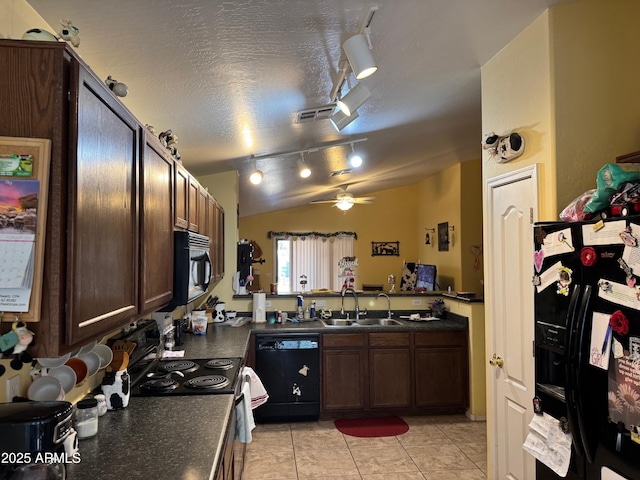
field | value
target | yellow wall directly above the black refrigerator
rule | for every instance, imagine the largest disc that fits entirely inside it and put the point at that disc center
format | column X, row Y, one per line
column 595, row 70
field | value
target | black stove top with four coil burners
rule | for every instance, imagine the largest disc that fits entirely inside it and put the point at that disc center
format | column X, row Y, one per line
column 189, row 377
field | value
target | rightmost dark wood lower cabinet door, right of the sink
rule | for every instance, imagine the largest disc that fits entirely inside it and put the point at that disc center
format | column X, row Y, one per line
column 441, row 377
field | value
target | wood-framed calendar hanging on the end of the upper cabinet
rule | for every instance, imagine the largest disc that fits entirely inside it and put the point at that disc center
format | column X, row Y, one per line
column 24, row 181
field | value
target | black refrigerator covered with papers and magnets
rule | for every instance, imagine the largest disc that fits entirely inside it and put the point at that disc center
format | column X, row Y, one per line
column 587, row 343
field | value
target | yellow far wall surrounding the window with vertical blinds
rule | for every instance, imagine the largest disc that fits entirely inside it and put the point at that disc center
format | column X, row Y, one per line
column 392, row 217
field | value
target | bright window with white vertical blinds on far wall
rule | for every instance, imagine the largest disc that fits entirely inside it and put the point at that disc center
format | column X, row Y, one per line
column 315, row 256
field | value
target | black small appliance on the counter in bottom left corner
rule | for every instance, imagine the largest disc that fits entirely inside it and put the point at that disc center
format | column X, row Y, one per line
column 32, row 433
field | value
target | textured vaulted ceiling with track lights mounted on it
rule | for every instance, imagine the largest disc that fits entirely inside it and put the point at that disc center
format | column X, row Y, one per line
column 229, row 76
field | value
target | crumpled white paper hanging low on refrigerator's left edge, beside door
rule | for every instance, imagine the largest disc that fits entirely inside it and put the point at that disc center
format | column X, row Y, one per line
column 547, row 443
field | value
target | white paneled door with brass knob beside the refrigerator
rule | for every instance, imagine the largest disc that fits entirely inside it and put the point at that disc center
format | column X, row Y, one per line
column 512, row 207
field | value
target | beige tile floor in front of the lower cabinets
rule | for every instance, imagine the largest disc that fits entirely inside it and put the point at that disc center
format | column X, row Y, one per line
column 434, row 448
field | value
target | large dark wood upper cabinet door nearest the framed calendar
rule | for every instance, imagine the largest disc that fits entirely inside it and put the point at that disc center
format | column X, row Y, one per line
column 102, row 249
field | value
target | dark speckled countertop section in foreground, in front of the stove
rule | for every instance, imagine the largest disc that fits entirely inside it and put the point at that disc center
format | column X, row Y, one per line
column 157, row 437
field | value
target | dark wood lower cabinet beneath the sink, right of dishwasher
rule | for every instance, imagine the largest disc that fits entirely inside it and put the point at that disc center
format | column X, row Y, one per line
column 400, row 372
